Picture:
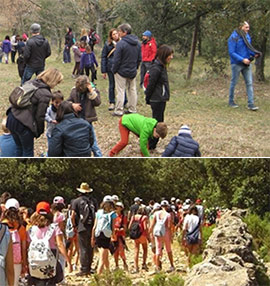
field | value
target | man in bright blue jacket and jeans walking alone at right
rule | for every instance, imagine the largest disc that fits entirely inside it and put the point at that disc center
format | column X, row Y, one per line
column 241, row 56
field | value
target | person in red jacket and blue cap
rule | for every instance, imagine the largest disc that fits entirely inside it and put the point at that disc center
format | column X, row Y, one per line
column 149, row 50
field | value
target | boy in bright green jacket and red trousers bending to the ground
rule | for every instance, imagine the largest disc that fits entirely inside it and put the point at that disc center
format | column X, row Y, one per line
column 144, row 127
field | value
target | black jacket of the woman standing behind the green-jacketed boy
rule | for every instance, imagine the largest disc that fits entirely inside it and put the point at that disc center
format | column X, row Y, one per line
column 158, row 89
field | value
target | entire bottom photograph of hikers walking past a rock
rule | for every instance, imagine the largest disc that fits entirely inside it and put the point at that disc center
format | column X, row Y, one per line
column 156, row 222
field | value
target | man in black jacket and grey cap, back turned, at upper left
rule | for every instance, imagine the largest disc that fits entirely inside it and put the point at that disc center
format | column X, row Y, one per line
column 37, row 49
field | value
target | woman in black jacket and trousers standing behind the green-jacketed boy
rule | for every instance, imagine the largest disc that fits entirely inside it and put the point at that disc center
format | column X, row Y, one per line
column 158, row 91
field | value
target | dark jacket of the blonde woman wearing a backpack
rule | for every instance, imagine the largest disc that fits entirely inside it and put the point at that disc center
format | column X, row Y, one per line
column 33, row 117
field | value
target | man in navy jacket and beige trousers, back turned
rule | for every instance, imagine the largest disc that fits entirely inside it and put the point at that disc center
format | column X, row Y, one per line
column 127, row 58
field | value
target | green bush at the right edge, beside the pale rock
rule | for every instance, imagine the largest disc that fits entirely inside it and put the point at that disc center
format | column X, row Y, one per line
column 260, row 230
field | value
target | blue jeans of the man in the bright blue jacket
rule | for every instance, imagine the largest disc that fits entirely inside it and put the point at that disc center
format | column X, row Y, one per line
column 247, row 74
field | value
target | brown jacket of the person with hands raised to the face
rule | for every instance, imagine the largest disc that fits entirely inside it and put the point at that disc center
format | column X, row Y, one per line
column 91, row 101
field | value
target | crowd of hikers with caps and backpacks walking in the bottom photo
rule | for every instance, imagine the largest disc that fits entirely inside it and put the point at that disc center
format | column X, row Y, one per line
column 68, row 235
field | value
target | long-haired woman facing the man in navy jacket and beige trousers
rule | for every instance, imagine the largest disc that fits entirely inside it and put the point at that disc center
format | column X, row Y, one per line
column 106, row 64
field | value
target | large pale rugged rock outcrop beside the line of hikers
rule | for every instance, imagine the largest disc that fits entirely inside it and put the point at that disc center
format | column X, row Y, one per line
column 228, row 257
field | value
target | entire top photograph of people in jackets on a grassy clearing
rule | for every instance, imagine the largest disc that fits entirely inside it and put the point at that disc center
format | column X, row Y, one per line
column 136, row 78
